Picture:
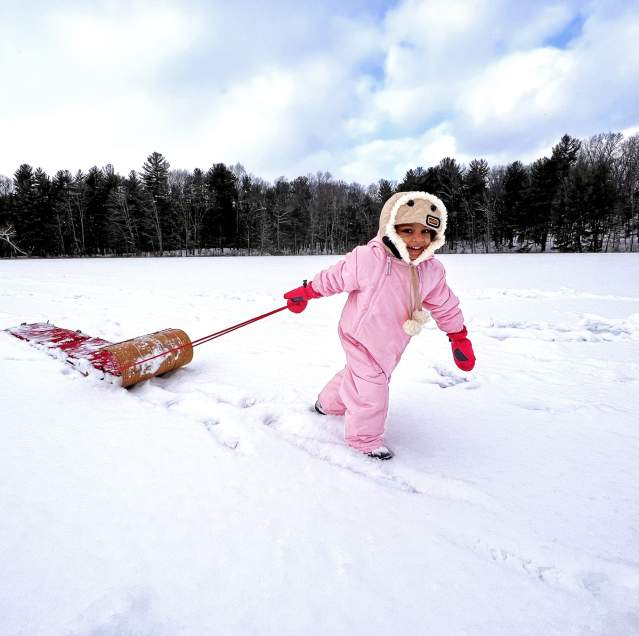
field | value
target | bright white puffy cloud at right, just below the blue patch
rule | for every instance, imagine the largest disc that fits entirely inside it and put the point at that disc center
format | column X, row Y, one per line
column 531, row 98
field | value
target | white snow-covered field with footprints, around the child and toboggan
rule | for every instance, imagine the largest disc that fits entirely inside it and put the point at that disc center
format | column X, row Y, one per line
column 214, row 501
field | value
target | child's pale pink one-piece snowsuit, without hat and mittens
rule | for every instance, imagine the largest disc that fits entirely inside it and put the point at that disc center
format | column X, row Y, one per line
column 371, row 332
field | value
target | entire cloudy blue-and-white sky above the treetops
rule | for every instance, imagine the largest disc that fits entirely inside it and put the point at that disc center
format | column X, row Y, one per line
column 362, row 89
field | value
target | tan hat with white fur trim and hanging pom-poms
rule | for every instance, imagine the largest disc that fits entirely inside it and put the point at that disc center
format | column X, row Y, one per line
column 414, row 207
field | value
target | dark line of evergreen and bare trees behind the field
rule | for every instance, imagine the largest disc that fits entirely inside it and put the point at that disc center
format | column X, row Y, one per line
column 584, row 197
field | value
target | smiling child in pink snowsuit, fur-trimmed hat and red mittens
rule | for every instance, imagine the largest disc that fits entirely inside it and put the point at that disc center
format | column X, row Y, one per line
column 389, row 281
